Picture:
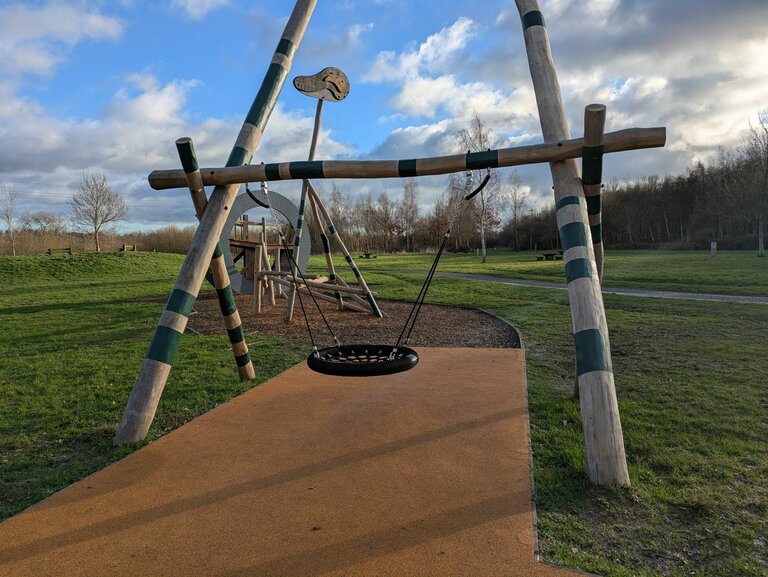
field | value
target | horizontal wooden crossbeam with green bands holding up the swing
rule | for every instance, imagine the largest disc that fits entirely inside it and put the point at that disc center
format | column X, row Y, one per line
column 629, row 139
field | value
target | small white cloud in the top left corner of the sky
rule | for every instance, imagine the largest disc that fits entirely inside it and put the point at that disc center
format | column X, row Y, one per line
column 33, row 40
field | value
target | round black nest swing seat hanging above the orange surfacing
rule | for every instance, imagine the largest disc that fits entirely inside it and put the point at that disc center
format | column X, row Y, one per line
column 362, row 360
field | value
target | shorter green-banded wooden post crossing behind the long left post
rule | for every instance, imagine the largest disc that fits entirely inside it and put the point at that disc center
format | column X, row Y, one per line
column 218, row 268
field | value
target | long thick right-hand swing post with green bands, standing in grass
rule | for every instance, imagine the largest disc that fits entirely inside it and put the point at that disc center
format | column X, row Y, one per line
column 603, row 440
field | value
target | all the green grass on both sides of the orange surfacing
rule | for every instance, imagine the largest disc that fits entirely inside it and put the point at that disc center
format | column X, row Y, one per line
column 690, row 378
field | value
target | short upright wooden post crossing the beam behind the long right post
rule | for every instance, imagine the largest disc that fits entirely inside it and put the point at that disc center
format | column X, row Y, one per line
column 592, row 176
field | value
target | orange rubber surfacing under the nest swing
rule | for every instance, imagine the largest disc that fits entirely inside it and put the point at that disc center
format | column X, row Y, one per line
column 424, row 472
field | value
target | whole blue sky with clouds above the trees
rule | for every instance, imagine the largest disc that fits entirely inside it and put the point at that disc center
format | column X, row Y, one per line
column 111, row 84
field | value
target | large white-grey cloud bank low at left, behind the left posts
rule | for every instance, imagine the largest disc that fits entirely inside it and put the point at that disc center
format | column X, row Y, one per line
column 134, row 135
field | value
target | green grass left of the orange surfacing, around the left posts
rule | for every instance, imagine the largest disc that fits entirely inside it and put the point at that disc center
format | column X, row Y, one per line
column 75, row 331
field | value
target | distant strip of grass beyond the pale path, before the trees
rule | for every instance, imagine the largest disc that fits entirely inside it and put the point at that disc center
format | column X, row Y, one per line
column 734, row 272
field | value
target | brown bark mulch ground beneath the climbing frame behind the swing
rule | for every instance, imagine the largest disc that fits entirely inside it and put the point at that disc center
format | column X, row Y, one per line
column 437, row 325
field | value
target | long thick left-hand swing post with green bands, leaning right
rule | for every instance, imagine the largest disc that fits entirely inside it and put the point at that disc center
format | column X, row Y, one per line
column 145, row 396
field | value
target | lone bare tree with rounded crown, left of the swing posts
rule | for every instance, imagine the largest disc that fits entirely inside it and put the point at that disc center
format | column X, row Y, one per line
column 96, row 206
